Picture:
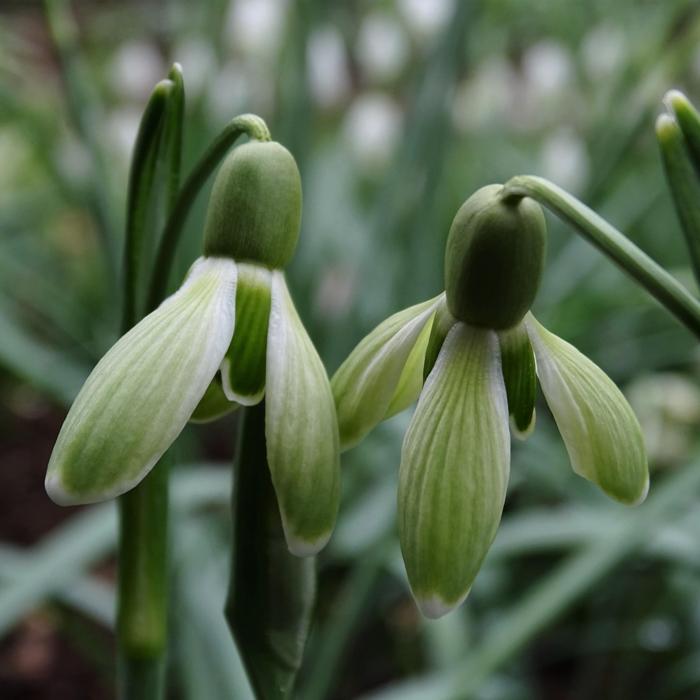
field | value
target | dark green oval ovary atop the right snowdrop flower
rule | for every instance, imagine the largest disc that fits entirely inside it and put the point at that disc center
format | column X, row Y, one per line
column 494, row 258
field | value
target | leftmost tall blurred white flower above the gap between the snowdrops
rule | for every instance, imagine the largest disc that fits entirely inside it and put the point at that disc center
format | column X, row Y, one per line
column 327, row 70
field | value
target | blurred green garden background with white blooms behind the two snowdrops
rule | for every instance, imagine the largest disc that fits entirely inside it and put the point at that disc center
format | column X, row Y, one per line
column 396, row 112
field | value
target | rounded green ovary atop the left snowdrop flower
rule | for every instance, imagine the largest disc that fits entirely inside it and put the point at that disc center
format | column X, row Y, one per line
column 254, row 212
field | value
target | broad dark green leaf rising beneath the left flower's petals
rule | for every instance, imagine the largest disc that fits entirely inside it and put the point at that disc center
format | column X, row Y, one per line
column 271, row 592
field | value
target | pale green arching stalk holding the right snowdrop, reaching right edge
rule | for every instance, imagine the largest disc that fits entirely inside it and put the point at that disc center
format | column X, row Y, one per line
column 621, row 250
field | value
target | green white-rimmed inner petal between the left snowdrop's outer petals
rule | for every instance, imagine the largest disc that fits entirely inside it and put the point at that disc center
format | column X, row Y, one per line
column 243, row 368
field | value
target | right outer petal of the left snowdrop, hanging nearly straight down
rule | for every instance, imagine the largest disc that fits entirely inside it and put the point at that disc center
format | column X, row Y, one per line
column 301, row 429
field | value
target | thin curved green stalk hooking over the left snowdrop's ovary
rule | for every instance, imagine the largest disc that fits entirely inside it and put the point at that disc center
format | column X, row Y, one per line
column 247, row 124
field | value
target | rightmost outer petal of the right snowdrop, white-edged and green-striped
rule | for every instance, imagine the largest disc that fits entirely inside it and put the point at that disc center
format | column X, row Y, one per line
column 601, row 432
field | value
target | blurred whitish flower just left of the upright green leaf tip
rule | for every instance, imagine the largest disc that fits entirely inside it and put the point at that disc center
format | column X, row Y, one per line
column 134, row 69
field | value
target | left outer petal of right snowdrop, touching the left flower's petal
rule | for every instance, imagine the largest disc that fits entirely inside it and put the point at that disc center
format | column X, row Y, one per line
column 367, row 382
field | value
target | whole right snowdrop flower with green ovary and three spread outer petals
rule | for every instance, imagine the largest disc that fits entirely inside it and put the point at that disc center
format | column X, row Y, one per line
column 472, row 356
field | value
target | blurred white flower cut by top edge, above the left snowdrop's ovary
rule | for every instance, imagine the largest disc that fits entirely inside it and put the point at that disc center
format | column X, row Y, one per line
column 256, row 26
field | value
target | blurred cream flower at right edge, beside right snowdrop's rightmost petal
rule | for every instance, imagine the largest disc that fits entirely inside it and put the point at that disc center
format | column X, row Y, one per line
column 668, row 407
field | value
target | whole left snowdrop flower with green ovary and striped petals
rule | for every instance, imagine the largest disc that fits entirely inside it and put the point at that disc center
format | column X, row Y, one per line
column 233, row 314
